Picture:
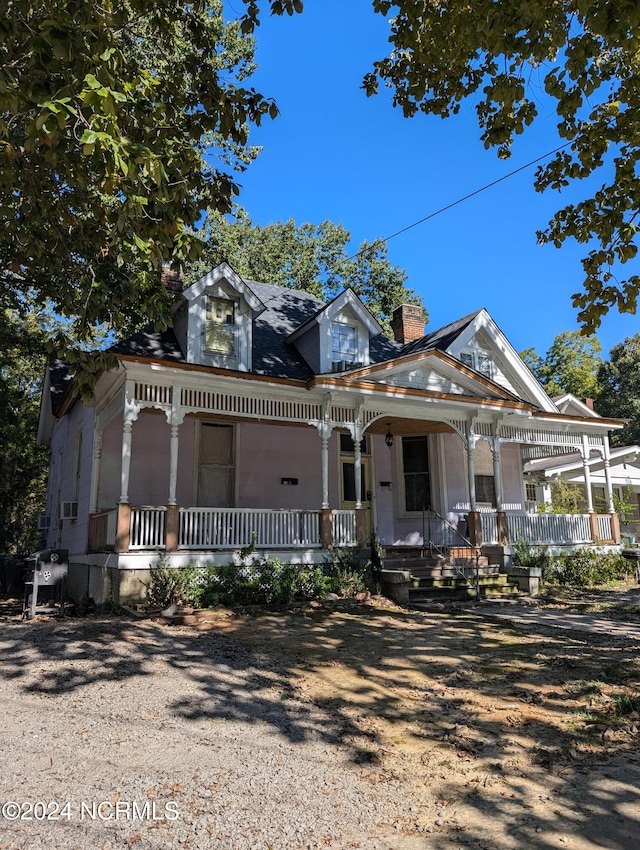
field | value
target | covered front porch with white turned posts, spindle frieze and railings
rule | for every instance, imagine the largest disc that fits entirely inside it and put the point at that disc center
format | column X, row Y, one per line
column 289, row 468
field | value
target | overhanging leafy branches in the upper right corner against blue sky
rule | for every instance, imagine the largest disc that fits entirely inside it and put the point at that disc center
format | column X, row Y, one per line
column 585, row 56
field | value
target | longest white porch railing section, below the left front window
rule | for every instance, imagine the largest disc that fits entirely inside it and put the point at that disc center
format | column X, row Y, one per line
column 237, row 528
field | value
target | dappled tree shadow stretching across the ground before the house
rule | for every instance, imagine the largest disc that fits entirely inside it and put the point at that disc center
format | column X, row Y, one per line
column 486, row 724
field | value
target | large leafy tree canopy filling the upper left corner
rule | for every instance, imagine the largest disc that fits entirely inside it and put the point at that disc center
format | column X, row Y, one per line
column 121, row 121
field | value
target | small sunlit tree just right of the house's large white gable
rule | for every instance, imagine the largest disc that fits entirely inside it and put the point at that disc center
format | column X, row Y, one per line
column 570, row 365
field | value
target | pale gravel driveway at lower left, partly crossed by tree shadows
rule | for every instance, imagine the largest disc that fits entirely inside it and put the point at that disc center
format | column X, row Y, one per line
column 117, row 733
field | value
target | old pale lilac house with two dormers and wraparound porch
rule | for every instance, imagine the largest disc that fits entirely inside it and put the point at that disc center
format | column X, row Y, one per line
column 267, row 415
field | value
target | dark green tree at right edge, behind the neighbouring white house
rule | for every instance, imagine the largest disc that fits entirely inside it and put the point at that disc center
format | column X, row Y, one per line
column 619, row 395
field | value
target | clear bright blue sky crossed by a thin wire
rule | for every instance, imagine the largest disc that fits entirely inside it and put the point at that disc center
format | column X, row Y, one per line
column 335, row 154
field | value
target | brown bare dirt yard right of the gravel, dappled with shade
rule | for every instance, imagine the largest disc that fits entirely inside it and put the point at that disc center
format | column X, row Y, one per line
column 498, row 737
